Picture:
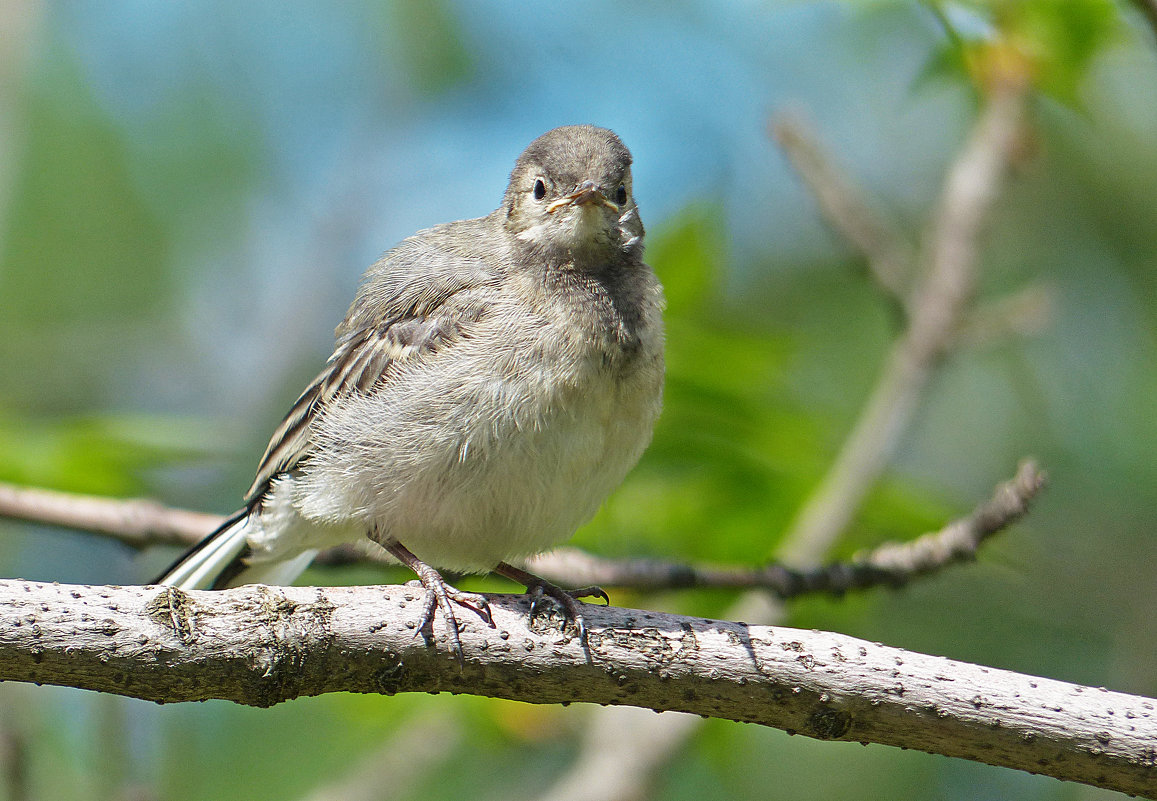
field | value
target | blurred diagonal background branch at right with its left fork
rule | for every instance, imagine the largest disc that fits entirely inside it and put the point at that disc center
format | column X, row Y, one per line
column 938, row 308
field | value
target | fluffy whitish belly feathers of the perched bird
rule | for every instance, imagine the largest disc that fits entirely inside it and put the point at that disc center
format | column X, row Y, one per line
column 480, row 460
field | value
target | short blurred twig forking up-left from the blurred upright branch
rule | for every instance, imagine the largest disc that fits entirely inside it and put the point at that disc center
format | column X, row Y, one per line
column 888, row 254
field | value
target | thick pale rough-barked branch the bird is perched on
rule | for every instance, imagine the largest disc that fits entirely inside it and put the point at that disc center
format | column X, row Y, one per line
column 260, row 646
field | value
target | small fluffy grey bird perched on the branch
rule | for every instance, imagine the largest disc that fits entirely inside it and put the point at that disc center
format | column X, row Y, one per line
column 492, row 383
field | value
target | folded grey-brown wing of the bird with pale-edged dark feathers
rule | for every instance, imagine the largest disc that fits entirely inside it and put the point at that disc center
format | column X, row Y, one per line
column 403, row 313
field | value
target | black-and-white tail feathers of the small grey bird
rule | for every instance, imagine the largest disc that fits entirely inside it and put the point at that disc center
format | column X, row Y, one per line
column 219, row 562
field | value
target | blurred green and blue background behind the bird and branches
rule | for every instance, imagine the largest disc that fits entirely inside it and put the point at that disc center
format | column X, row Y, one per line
column 189, row 194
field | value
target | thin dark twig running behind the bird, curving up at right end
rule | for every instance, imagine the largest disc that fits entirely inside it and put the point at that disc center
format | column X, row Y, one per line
column 143, row 523
